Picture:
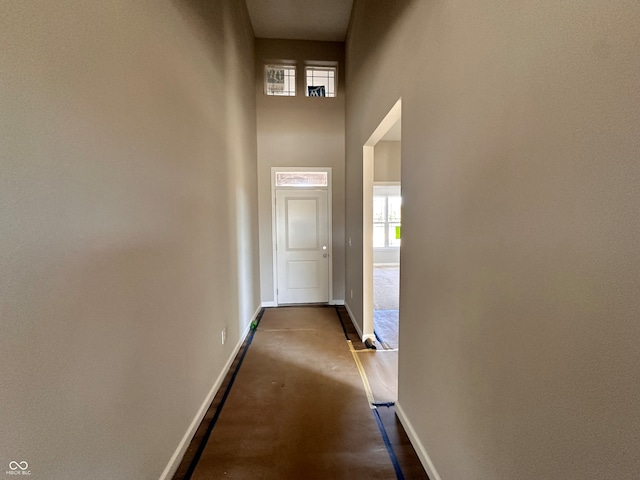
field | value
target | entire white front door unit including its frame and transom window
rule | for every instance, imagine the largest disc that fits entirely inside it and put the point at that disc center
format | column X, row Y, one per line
column 302, row 270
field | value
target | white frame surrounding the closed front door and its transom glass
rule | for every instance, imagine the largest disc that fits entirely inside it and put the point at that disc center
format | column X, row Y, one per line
column 274, row 220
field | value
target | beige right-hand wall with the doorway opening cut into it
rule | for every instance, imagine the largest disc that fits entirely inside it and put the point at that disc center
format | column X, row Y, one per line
column 519, row 332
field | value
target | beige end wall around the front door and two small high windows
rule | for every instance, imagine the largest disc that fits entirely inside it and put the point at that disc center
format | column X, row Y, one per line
column 299, row 131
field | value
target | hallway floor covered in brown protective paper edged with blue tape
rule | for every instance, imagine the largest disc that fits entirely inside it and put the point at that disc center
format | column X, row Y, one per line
column 294, row 406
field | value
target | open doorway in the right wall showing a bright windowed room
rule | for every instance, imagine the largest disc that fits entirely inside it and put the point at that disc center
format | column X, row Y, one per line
column 381, row 248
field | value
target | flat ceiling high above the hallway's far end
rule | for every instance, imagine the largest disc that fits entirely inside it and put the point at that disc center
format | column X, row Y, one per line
column 324, row 20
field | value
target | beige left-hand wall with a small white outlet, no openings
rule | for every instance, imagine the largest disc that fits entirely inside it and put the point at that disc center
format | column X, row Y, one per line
column 129, row 226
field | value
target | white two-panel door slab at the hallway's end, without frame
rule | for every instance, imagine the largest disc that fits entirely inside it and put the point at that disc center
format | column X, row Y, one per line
column 302, row 246
